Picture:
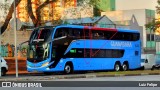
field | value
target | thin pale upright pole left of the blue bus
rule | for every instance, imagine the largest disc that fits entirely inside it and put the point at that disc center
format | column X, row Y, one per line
column 15, row 39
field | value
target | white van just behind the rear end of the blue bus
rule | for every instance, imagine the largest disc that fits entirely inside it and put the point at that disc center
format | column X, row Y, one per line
column 147, row 61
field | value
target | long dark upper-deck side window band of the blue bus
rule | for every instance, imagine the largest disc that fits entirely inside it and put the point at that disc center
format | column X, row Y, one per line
column 96, row 34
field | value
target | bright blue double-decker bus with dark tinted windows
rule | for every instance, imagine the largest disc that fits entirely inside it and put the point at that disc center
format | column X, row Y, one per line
column 70, row 48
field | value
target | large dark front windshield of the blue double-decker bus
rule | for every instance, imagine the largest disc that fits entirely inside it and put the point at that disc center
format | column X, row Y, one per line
column 38, row 45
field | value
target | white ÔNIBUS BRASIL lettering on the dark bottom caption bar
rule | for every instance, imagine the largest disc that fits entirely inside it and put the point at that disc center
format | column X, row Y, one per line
column 15, row 84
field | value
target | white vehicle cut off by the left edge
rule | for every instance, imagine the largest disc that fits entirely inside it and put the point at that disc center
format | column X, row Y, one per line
column 4, row 66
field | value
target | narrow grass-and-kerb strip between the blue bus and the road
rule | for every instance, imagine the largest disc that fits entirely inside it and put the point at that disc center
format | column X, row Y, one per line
column 37, row 76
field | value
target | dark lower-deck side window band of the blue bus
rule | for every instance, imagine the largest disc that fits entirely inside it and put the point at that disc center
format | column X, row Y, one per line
column 96, row 53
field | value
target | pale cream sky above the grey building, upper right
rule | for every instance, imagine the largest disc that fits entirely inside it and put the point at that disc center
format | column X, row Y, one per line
column 136, row 4
